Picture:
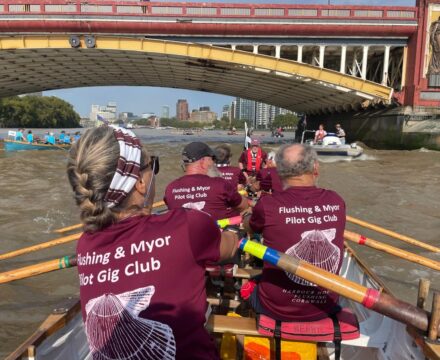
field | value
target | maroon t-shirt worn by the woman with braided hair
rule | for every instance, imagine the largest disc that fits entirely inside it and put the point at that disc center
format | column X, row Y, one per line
column 142, row 286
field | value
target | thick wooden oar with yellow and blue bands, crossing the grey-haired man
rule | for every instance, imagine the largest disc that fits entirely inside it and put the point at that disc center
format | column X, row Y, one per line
column 370, row 298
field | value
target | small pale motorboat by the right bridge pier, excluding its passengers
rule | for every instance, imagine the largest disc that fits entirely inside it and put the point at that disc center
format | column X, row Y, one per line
column 332, row 146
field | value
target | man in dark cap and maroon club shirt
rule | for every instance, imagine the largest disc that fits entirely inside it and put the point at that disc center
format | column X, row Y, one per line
column 197, row 190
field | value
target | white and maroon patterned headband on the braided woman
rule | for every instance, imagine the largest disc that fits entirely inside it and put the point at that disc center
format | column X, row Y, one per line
column 128, row 169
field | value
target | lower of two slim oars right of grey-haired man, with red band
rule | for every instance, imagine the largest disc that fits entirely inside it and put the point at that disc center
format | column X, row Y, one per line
column 362, row 240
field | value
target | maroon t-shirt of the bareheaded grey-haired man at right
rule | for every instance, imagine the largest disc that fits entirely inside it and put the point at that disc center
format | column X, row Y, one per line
column 307, row 223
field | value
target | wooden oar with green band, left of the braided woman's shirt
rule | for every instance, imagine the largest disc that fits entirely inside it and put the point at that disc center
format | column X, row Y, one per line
column 37, row 269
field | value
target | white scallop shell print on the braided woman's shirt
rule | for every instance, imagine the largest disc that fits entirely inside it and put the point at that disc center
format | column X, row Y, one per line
column 115, row 330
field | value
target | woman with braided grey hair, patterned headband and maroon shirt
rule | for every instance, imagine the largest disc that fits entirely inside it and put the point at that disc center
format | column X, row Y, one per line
column 141, row 275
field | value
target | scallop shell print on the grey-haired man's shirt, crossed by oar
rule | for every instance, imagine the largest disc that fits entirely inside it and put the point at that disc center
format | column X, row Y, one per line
column 316, row 248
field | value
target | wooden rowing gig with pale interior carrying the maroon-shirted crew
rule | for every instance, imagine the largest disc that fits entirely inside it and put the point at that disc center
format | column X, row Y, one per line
column 62, row 334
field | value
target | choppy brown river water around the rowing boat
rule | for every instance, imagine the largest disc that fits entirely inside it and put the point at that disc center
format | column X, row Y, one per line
column 398, row 190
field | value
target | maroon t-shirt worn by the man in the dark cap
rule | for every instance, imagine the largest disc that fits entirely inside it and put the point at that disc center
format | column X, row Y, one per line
column 213, row 195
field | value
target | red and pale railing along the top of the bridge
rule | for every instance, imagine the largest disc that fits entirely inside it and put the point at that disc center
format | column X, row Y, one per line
column 188, row 11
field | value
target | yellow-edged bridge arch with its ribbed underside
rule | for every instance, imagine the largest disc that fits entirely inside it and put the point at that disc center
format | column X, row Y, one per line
column 31, row 64
